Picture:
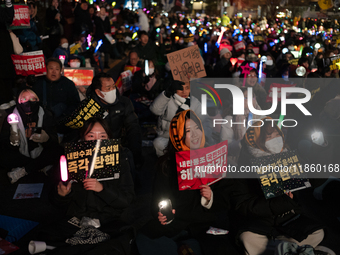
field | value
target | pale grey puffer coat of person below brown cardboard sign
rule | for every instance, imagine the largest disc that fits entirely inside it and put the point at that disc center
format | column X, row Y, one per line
column 166, row 109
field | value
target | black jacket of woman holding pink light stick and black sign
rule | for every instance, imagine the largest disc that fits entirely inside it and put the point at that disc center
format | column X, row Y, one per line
column 107, row 205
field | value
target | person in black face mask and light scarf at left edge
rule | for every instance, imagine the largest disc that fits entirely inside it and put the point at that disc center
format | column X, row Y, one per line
column 34, row 145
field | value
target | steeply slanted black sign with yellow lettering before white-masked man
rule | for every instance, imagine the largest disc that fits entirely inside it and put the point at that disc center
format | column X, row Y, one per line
column 87, row 109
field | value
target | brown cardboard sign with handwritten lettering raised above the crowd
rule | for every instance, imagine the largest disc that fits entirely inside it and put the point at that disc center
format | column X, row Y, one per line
column 186, row 64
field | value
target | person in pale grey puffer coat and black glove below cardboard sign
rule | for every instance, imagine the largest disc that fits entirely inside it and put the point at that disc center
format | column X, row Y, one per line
column 174, row 99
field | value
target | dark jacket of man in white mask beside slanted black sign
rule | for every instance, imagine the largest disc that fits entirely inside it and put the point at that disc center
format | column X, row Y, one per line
column 121, row 116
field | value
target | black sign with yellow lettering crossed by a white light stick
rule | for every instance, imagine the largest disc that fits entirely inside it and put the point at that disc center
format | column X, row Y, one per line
column 79, row 156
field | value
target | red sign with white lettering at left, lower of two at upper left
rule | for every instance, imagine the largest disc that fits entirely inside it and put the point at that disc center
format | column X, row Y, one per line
column 29, row 65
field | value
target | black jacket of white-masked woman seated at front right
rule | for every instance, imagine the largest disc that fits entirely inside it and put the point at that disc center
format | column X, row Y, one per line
column 268, row 216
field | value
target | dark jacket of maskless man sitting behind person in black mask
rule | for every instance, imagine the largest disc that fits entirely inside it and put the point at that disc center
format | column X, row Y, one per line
column 62, row 97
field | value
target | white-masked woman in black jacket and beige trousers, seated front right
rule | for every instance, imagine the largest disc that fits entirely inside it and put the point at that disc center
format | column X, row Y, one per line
column 280, row 217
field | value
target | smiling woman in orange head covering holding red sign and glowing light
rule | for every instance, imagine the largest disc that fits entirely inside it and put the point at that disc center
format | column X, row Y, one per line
column 190, row 207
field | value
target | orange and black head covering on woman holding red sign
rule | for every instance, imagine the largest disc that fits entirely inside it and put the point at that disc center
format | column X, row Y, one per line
column 177, row 130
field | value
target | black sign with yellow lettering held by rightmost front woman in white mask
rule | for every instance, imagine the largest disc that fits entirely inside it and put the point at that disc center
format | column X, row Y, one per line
column 287, row 174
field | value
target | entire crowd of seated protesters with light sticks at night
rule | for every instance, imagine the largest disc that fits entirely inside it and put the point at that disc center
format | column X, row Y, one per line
column 285, row 51
